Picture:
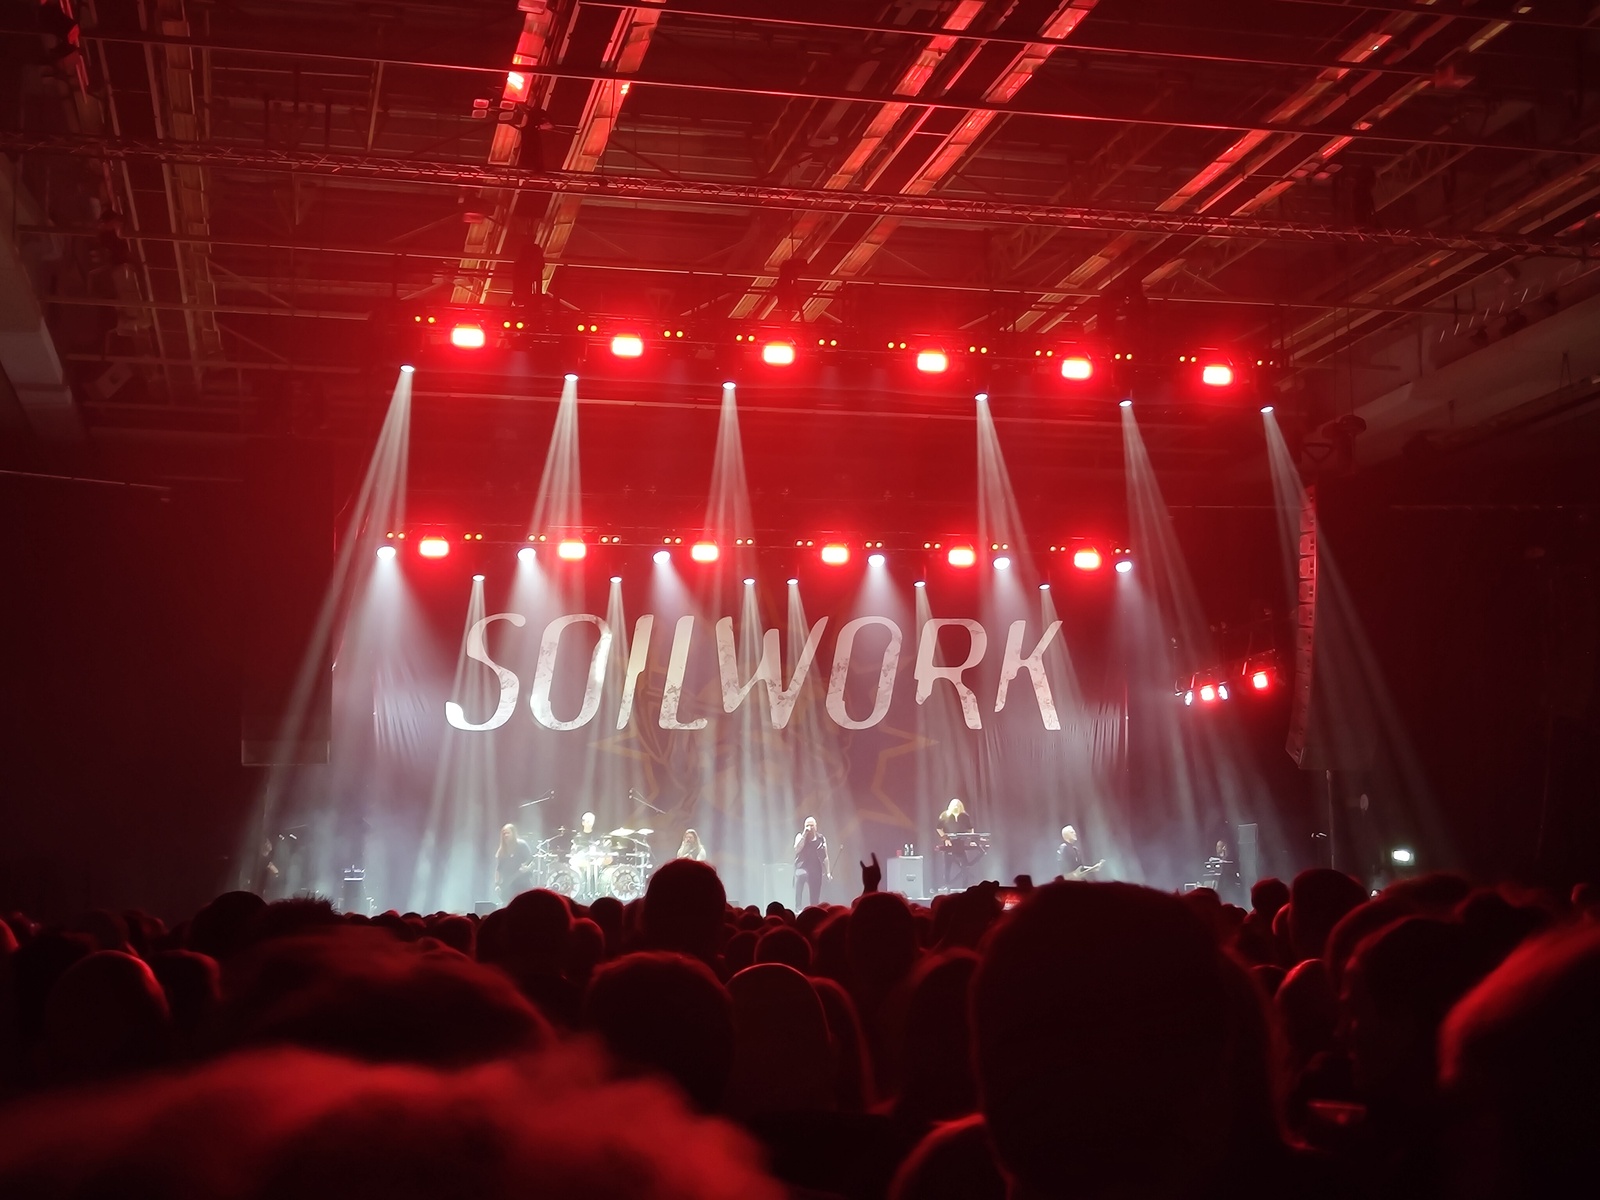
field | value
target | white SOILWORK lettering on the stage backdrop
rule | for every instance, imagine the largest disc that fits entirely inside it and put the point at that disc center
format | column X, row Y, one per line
column 769, row 671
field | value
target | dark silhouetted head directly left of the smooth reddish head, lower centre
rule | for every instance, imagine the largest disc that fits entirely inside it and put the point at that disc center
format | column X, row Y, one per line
column 670, row 1014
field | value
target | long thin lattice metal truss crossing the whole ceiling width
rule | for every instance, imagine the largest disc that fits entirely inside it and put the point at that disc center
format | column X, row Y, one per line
column 630, row 188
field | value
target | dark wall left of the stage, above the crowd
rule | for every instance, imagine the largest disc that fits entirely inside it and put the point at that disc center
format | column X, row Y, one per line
column 119, row 748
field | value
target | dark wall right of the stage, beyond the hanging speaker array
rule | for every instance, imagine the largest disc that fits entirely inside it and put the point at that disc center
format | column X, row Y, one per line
column 1476, row 580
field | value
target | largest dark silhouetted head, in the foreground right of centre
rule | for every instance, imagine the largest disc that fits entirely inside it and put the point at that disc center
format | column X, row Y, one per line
column 1111, row 1042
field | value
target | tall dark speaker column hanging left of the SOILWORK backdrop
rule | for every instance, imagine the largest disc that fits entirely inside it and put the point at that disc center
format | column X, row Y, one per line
column 287, row 562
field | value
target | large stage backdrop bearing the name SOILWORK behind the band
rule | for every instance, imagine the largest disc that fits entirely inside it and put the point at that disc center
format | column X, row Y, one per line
column 732, row 708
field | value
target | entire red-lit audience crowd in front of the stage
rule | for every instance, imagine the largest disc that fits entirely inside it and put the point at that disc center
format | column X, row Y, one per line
column 1095, row 1041
